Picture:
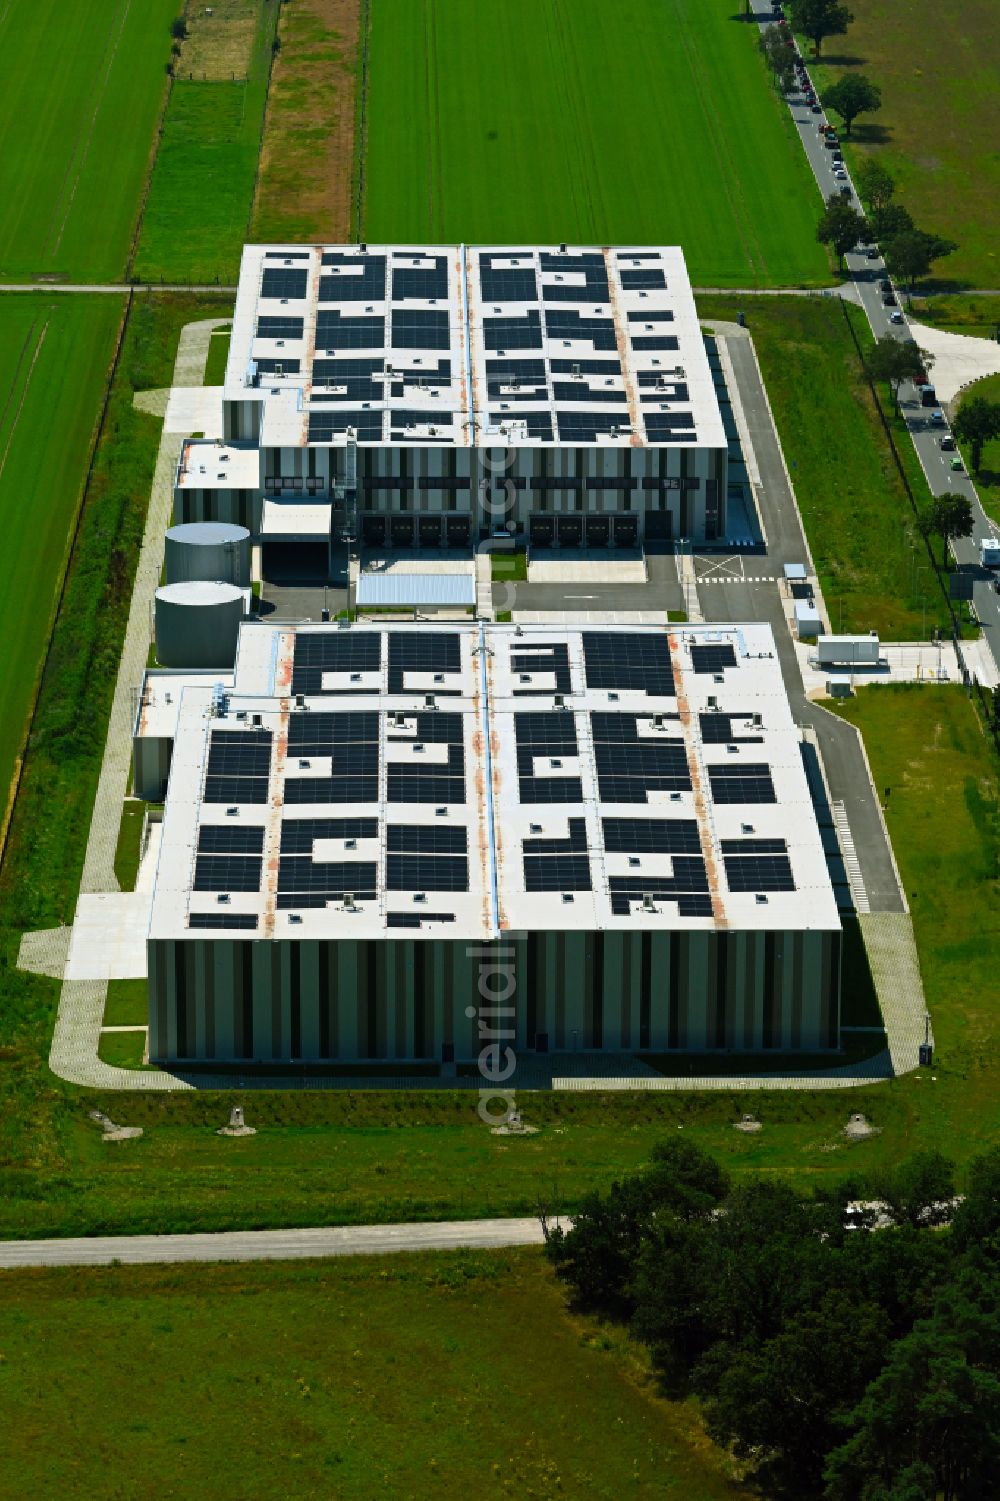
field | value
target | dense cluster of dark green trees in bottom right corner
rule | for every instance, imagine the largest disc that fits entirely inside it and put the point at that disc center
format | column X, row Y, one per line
column 843, row 1352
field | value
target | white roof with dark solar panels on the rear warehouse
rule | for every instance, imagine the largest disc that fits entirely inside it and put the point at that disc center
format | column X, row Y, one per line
column 472, row 346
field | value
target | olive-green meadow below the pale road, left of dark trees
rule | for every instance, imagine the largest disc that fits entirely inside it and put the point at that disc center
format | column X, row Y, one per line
column 412, row 1376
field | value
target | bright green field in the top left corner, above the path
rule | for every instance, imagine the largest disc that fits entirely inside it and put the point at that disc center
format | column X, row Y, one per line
column 83, row 88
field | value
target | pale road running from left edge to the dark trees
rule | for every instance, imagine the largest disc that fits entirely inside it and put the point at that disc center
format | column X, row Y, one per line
column 271, row 1245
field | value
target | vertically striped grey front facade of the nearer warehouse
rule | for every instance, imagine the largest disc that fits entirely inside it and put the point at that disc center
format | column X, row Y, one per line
column 382, row 1000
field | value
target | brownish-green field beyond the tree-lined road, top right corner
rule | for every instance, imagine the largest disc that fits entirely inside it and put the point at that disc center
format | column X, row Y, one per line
column 941, row 119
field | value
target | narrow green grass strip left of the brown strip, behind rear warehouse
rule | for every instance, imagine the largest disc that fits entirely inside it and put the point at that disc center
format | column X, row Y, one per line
column 203, row 181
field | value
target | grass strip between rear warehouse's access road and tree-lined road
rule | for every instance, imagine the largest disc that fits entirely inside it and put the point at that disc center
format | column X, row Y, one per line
column 854, row 505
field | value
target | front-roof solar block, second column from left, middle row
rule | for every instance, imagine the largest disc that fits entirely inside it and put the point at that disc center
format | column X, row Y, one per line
column 351, row 741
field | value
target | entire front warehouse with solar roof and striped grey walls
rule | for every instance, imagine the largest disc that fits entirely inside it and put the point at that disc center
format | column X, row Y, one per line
column 367, row 813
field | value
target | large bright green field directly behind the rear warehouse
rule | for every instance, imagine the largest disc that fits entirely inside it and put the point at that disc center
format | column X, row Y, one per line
column 645, row 121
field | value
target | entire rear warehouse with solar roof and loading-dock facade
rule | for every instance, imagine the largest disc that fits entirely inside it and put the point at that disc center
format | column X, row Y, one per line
column 421, row 397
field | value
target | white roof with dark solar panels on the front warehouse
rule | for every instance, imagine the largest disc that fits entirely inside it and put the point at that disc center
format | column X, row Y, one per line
column 463, row 781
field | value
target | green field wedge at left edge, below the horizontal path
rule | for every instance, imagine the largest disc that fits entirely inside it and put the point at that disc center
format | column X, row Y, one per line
column 55, row 361
